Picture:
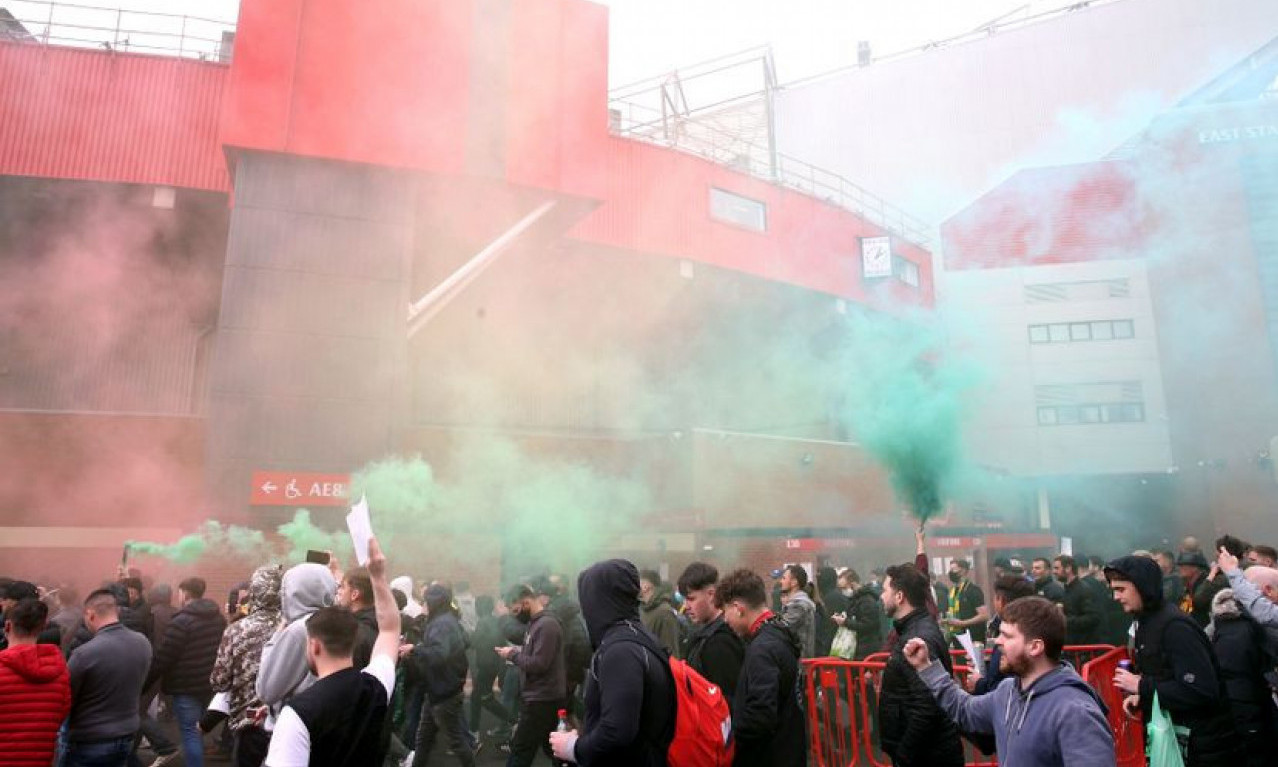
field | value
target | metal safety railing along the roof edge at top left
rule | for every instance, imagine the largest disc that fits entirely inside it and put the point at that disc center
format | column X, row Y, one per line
column 118, row 30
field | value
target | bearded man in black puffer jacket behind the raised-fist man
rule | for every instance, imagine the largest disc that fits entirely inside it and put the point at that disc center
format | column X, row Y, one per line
column 913, row 729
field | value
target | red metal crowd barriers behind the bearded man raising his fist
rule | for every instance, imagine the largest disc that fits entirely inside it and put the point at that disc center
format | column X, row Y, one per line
column 843, row 708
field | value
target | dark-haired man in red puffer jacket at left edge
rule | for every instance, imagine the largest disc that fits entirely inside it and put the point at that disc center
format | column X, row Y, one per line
column 35, row 688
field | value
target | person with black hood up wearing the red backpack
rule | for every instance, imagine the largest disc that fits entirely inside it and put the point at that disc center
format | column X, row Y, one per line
column 629, row 690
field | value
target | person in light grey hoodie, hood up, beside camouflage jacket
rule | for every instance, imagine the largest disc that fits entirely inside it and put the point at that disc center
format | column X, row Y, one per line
column 284, row 673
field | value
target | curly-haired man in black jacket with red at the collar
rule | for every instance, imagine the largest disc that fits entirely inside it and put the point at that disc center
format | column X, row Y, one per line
column 767, row 720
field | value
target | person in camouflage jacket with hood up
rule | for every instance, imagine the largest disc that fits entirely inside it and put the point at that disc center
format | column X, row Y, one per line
column 240, row 659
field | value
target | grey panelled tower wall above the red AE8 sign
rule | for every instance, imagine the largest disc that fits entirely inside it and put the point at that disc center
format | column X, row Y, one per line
column 311, row 342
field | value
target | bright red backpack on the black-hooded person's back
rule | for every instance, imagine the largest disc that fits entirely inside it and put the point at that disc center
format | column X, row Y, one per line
column 704, row 725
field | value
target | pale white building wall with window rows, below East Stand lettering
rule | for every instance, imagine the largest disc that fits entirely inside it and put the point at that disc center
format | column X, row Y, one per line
column 997, row 307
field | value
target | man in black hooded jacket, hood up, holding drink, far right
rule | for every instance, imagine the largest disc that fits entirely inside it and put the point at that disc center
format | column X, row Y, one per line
column 1174, row 659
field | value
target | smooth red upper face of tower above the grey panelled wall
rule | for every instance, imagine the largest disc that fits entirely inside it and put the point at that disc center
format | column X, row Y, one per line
column 385, row 85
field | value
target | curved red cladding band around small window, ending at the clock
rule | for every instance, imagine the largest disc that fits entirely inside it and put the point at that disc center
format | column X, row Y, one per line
column 658, row 201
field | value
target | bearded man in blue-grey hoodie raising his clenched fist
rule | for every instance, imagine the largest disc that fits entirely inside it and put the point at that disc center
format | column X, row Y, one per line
column 1042, row 717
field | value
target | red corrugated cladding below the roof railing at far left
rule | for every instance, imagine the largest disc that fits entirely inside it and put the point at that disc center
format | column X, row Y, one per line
column 98, row 116
